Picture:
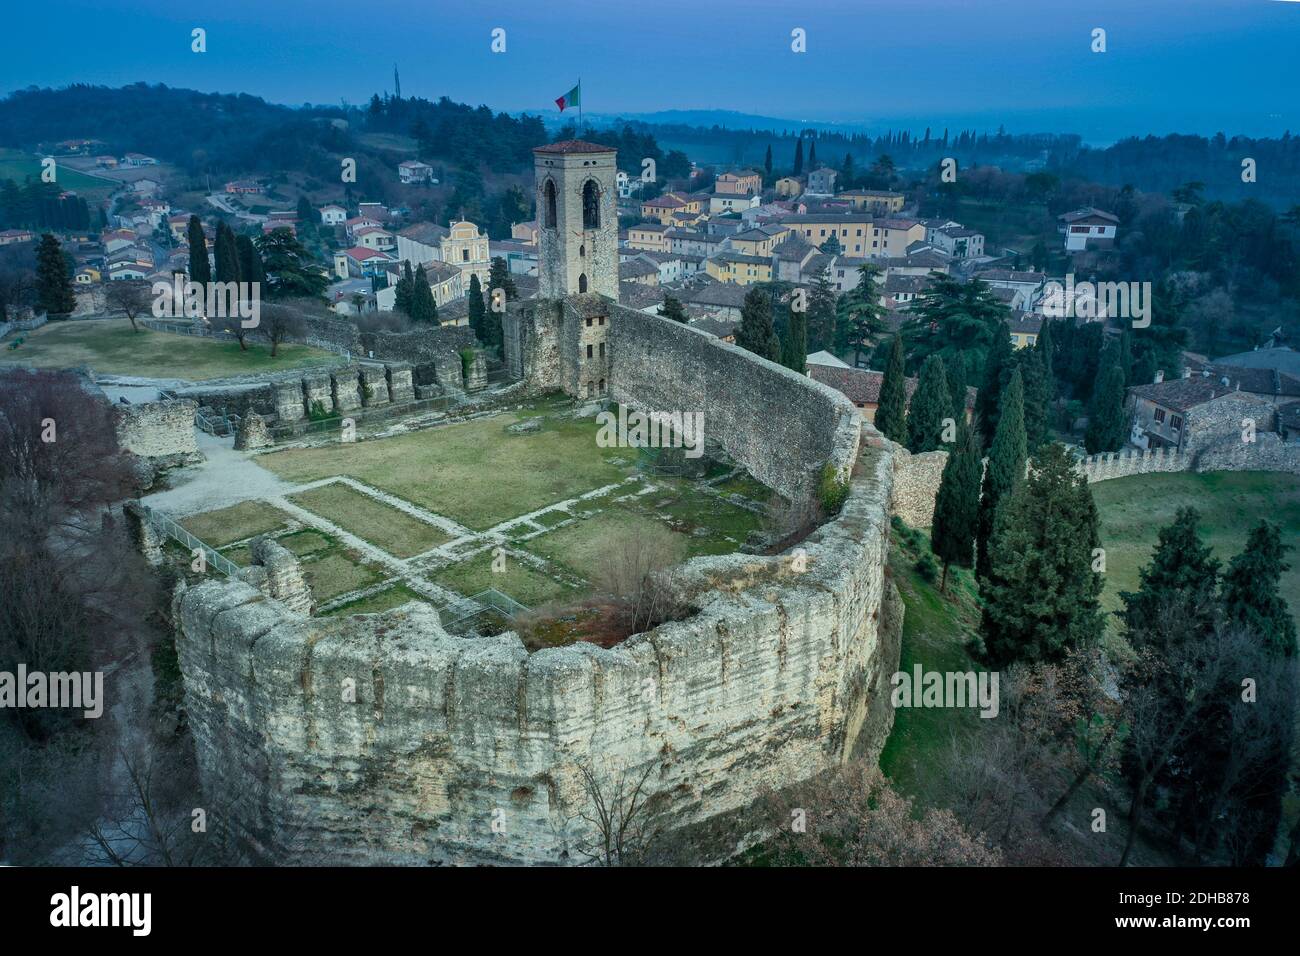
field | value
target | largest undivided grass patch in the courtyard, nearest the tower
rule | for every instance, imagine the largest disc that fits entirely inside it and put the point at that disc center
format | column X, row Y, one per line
column 476, row 474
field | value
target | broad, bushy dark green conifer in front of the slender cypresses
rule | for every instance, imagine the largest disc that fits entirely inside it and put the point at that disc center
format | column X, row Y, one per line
column 1042, row 595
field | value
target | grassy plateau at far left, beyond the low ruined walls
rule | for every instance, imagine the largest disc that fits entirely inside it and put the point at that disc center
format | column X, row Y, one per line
column 111, row 348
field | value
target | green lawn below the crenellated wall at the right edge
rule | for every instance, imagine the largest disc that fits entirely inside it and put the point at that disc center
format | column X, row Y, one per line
column 1136, row 509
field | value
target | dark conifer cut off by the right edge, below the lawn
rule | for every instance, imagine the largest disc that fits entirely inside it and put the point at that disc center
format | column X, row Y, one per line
column 1251, row 596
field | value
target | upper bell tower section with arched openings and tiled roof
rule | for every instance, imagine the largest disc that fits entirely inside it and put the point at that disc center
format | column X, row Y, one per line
column 578, row 220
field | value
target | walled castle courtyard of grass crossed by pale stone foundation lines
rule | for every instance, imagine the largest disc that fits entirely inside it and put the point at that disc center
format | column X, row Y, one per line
column 423, row 516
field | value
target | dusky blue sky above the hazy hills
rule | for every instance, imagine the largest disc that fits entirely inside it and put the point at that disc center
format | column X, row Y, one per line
column 1186, row 66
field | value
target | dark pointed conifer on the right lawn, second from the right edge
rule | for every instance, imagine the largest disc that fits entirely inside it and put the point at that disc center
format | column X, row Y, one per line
column 1182, row 572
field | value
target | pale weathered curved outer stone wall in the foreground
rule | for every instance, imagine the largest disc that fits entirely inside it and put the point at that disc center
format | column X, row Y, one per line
column 383, row 739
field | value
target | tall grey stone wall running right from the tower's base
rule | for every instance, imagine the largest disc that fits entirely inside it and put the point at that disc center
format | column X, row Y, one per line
column 782, row 426
